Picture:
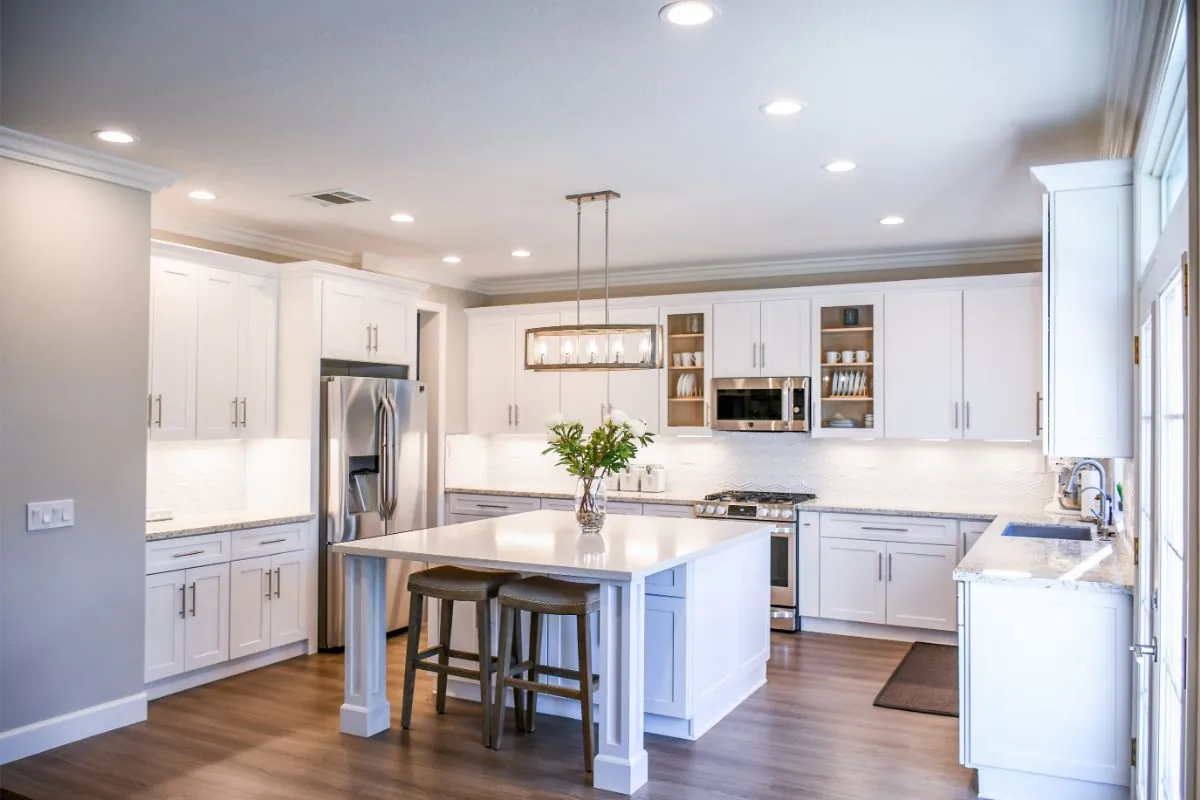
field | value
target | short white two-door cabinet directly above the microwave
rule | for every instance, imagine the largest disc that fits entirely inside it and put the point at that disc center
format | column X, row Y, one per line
column 769, row 339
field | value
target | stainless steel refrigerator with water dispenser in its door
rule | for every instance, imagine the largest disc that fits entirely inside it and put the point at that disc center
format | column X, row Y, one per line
column 374, row 461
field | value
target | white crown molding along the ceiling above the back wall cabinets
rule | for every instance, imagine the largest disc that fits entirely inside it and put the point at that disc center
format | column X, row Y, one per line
column 991, row 254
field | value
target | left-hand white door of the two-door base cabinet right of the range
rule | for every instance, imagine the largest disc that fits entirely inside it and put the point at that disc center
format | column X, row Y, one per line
column 853, row 586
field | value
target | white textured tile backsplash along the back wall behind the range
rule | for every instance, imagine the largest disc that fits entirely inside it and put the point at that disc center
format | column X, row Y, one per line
column 1007, row 476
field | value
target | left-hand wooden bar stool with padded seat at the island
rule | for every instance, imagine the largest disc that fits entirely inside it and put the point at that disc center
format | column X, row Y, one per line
column 451, row 585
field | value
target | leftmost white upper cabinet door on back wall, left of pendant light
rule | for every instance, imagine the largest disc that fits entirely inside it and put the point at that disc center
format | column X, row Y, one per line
column 491, row 375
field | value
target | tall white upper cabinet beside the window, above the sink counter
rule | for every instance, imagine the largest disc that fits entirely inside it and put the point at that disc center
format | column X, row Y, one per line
column 1088, row 327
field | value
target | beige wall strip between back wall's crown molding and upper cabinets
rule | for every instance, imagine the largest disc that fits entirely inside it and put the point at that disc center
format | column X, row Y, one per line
column 784, row 282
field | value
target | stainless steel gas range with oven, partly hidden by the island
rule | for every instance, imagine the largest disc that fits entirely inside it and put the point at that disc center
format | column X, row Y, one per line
column 779, row 508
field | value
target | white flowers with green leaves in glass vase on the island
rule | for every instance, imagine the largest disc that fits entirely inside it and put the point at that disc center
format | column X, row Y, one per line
column 608, row 449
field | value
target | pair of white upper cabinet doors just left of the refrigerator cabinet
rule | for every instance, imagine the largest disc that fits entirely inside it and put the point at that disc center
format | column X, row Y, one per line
column 237, row 356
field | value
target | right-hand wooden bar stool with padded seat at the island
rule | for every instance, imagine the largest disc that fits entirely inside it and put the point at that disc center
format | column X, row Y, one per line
column 541, row 596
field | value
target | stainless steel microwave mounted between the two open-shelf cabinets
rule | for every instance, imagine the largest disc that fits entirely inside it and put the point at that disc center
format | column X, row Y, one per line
column 761, row 405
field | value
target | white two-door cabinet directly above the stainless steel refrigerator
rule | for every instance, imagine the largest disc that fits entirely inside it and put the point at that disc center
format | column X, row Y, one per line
column 364, row 322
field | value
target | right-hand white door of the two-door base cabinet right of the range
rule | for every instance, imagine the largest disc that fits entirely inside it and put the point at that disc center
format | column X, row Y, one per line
column 921, row 591
